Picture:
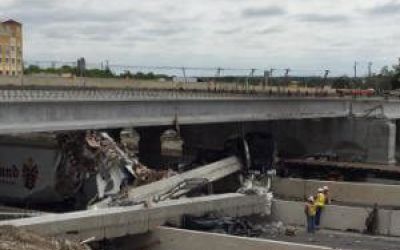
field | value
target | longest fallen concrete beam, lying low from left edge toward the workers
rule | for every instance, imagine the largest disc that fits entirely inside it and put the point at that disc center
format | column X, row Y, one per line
column 121, row 221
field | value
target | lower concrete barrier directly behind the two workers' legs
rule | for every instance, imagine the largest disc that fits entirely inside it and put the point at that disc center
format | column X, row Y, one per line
column 338, row 217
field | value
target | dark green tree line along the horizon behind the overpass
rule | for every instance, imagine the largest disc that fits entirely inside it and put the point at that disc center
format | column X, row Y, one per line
column 386, row 79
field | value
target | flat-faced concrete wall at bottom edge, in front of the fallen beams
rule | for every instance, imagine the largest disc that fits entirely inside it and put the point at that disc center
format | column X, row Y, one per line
column 164, row 238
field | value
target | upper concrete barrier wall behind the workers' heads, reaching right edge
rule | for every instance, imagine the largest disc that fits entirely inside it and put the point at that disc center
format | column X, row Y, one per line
column 347, row 192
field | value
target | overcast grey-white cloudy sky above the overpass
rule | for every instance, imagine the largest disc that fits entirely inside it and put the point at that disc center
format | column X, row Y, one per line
column 304, row 35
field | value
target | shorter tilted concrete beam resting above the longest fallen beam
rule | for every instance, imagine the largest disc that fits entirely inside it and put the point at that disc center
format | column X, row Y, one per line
column 211, row 172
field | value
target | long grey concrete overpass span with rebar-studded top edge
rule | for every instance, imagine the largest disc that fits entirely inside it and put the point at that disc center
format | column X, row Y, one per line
column 56, row 110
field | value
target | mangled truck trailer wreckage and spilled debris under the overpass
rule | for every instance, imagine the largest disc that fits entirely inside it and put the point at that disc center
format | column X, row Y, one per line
column 95, row 153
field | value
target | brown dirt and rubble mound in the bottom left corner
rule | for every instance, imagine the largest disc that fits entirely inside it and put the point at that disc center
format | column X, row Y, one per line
column 12, row 238
